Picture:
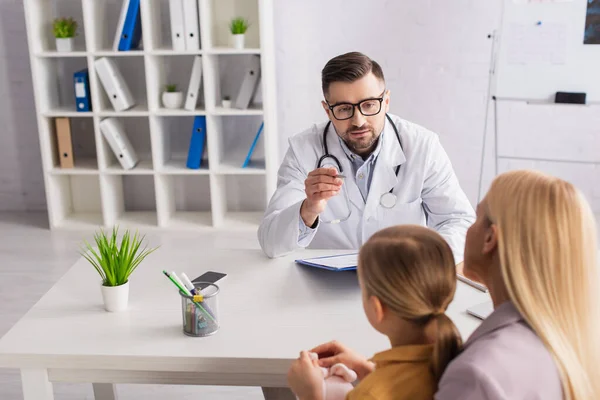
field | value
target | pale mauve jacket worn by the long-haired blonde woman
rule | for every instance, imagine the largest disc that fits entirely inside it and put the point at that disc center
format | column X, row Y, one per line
column 503, row 359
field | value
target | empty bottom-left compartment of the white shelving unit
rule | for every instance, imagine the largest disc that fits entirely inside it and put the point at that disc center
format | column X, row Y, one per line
column 76, row 201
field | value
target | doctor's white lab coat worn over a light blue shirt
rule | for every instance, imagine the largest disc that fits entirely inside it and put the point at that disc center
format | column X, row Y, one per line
column 427, row 190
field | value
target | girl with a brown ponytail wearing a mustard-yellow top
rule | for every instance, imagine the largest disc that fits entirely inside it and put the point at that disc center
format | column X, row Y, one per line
column 407, row 277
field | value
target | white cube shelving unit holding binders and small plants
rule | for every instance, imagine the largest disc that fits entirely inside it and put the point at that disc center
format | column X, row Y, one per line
column 160, row 192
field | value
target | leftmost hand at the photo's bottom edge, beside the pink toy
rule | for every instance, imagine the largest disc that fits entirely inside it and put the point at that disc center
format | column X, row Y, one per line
column 305, row 378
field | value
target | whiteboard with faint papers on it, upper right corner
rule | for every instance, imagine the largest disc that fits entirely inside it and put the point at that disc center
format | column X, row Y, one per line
column 541, row 51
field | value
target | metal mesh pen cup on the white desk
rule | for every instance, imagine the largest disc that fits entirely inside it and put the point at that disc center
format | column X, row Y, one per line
column 200, row 313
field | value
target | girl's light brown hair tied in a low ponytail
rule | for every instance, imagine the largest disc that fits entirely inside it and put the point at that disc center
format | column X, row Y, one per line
column 411, row 270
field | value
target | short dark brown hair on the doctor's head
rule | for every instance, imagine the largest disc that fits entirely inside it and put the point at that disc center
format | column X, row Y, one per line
column 348, row 68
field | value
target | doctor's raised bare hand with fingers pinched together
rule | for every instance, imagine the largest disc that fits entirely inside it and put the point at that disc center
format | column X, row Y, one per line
column 320, row 185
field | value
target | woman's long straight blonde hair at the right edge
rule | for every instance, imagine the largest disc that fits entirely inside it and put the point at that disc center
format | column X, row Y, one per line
column 547, row 252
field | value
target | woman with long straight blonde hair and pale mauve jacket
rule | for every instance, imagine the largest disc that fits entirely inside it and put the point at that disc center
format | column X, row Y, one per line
column 534, row 246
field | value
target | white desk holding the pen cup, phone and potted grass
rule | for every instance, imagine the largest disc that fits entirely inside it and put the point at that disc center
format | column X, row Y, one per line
column 269, row 311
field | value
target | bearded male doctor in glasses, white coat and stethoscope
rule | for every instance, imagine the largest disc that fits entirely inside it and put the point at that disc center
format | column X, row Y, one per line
column 362, row 171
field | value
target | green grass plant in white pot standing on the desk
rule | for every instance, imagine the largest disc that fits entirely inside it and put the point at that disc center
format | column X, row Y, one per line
column 115, row 260
